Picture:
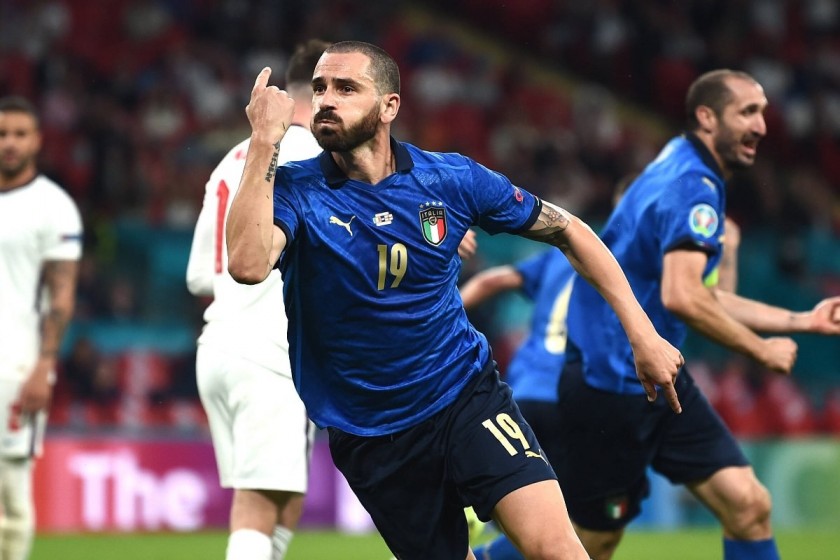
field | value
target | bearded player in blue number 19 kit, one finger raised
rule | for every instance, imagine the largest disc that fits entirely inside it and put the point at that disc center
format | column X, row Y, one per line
column 383, row 356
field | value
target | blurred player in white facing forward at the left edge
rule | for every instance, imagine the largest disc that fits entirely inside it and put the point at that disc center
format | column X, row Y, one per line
column 40, row 246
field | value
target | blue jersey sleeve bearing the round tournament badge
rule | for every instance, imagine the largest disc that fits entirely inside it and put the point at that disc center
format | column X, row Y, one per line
column 691, row 214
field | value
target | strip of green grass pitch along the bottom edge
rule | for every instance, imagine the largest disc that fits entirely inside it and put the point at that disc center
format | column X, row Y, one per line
column 695, row 544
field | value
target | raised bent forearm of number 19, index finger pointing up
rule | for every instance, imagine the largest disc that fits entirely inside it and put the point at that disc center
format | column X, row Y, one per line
column 254, row 243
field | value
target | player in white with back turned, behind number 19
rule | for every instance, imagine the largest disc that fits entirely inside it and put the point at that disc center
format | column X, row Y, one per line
column 261, row 434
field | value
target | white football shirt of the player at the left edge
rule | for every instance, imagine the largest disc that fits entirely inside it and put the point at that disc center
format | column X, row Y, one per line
column 38, row 222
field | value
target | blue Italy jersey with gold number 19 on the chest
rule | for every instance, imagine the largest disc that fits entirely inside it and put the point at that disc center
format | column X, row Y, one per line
column 378, row 337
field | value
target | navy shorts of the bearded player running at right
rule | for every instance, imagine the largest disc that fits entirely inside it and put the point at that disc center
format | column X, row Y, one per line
column 608, row 440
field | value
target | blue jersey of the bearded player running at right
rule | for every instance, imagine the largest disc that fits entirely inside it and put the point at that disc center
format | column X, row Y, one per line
column 678, row 201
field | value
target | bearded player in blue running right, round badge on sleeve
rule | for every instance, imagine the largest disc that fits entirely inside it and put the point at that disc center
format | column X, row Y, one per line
column 666, row 233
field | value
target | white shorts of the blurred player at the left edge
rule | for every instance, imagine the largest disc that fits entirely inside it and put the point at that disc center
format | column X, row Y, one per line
column 21, row 436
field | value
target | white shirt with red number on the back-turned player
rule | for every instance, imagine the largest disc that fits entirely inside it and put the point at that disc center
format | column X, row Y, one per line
column 249, row 320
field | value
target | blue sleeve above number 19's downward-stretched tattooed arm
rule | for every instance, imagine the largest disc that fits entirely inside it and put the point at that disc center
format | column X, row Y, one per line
column 501, row 206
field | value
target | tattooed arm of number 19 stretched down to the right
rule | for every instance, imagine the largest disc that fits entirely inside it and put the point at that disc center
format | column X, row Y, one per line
column 657, row 361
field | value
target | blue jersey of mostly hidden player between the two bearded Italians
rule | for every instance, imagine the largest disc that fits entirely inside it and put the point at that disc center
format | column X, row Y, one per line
column 534, row 370
